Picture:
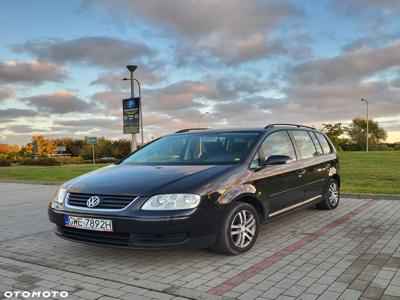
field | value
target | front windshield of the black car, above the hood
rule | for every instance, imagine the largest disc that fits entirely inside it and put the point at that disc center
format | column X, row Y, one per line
column 196, row 149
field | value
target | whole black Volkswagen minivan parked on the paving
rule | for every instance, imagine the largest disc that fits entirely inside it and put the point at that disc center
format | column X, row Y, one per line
column 200, row 188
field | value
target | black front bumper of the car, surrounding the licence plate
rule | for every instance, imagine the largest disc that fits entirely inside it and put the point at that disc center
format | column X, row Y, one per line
column 194, row 231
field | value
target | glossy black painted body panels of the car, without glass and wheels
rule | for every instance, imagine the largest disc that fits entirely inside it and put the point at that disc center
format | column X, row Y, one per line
column 272, row 189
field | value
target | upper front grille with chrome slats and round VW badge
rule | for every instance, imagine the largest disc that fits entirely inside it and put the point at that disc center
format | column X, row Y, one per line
column 106, row 201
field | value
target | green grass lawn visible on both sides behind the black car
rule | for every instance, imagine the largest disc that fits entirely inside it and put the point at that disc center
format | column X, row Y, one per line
column 361, row 172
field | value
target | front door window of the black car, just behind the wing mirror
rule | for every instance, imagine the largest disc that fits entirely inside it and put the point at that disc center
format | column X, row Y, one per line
column 278, row 143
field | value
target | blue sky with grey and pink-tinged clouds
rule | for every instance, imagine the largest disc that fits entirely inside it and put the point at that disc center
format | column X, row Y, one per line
column 248, row 63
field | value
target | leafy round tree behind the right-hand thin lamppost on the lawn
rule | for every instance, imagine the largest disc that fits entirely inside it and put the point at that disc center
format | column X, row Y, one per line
column 357, row 133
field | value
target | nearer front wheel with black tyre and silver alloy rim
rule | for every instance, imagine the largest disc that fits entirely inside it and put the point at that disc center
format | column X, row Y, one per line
column 233, row 238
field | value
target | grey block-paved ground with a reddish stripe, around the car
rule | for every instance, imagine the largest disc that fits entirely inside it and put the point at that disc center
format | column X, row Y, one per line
column 352, row 252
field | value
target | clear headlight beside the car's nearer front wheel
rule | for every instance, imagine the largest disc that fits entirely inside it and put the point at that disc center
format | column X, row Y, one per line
column 172, row 202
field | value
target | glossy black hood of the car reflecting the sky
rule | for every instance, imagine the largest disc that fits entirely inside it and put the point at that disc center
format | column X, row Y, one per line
column 145, row 180
